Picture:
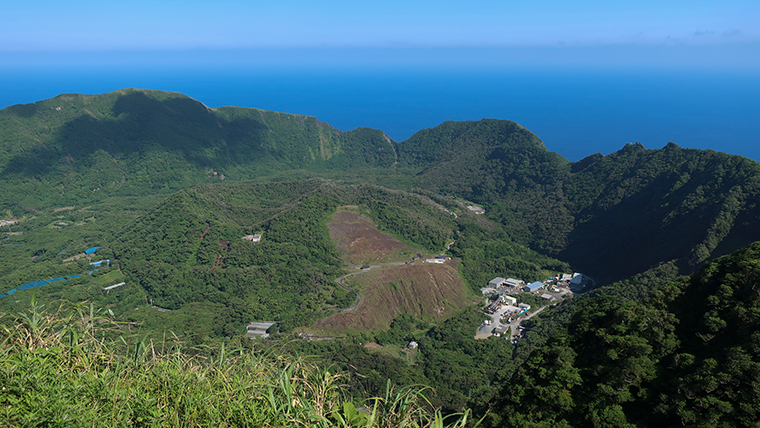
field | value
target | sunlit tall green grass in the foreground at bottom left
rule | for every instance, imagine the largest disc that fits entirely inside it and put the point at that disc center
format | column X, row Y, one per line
column 58, row 369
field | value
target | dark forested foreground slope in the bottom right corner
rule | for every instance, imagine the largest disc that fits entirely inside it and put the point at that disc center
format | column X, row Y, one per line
column 689, row 355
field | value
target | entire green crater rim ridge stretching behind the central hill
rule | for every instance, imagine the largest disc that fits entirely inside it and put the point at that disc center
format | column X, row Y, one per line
column 609, row 216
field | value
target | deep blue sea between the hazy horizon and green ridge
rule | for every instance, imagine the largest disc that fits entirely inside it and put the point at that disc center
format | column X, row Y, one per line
column 575, row 111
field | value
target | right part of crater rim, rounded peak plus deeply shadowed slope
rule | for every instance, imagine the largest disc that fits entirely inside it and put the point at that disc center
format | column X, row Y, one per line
column 609, row 216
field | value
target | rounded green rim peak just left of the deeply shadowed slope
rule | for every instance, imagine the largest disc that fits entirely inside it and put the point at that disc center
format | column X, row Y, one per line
column 498, row 163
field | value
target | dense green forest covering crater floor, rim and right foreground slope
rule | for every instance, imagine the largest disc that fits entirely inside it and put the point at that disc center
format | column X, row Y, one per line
column 167, row 188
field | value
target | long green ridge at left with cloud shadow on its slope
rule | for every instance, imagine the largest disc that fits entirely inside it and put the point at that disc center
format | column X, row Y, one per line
column 78, row 147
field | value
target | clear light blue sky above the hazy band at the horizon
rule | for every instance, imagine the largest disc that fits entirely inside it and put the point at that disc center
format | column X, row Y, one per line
column 649, row 31
